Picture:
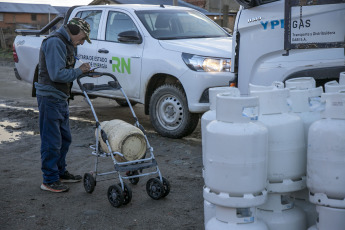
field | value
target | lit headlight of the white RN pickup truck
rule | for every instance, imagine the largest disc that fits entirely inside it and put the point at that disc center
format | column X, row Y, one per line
column 206, row 64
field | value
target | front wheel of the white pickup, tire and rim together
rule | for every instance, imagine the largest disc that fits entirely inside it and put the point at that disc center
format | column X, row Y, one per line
column 169, row 112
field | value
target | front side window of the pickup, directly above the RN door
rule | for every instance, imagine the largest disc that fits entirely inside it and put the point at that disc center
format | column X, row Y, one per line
column 118, row 22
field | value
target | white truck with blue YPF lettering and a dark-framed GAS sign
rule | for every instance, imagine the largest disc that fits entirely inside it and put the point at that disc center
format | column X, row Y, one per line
column 276, row 40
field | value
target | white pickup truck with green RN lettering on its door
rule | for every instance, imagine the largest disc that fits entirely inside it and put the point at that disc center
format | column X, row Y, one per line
column 164, row 57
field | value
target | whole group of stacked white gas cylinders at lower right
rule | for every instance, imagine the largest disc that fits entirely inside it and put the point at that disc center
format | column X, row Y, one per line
column 275, row 159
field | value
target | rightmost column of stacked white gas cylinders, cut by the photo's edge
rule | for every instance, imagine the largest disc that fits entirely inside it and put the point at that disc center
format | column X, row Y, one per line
column 326, row 159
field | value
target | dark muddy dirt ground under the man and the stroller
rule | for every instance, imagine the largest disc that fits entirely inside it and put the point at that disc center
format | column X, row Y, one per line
column 24, row 206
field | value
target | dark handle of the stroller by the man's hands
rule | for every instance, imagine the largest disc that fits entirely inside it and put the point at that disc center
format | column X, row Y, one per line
column 92, row 87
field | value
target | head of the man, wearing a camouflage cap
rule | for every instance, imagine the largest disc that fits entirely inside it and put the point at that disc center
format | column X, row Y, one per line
column 79, row 31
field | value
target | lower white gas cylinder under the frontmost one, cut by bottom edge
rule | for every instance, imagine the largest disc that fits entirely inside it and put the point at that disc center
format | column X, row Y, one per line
column 235, row 219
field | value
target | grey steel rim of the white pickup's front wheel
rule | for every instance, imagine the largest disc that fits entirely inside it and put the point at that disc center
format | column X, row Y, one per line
column 169, row 112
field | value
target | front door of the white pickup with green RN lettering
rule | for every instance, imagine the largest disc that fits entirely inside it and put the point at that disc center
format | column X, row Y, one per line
column 120, row 59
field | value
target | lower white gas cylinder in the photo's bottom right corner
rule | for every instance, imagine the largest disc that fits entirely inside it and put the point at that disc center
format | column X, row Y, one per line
column 330, row 218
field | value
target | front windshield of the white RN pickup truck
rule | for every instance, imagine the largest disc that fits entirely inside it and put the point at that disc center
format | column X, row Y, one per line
column 179, row 24
